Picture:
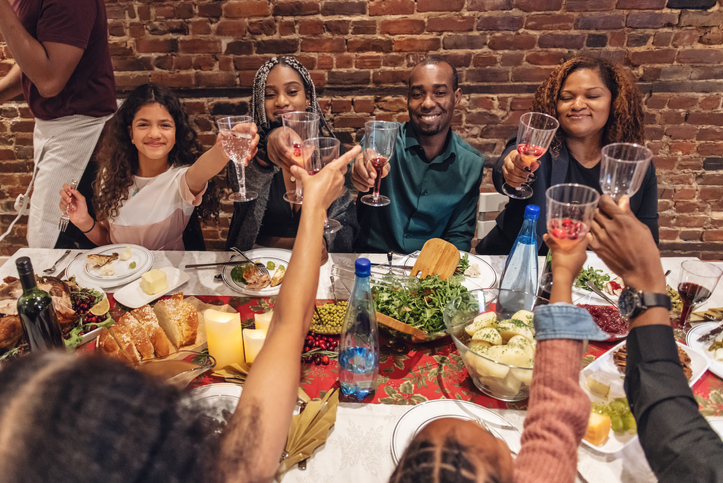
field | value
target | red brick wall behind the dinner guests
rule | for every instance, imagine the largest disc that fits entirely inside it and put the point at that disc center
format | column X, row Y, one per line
column 360, row 53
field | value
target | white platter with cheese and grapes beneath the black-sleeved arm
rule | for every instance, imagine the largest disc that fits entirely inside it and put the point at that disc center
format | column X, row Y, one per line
column 616, row 442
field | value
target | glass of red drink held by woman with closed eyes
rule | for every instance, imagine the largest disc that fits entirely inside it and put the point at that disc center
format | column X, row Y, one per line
column 534, row 136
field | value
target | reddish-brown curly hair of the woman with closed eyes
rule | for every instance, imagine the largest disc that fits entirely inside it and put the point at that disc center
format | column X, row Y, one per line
column 625, row 123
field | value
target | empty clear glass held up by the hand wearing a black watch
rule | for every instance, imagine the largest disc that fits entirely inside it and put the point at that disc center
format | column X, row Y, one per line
column 623, row 168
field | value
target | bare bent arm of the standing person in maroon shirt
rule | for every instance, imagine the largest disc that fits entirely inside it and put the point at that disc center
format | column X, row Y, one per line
column 48, row 65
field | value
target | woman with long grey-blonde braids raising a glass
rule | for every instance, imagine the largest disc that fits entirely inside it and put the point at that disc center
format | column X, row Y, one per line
column 282, row 85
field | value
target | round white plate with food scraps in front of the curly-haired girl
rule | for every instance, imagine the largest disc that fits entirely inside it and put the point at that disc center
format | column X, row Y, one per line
column 91, row 277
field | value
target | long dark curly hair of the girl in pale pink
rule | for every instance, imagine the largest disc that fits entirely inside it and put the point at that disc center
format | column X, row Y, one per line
column 118, row 157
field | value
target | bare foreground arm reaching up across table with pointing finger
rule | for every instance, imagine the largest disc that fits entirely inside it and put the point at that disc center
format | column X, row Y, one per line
column 252, row 444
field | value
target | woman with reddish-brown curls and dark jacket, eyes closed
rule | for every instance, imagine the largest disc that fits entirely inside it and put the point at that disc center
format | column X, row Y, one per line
column 597, row 103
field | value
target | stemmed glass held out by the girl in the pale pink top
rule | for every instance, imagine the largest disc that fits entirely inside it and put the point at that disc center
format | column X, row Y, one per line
column 237, row 145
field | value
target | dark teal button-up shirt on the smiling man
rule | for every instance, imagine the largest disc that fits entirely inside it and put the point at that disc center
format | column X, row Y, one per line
column 429, row 198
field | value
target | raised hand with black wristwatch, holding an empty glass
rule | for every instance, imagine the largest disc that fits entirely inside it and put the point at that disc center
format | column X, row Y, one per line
column 626, row 245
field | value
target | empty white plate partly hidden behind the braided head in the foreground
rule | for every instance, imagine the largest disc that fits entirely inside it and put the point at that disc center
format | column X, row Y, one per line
column 422, row 414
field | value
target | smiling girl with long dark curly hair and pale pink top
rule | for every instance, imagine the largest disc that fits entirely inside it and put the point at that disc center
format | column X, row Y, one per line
column 150, row 177
